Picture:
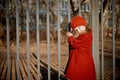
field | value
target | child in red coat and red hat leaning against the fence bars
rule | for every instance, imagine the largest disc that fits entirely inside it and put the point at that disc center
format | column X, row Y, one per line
column 80, row 64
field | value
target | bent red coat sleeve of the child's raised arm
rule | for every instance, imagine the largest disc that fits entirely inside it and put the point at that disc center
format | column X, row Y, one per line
column 76, row 42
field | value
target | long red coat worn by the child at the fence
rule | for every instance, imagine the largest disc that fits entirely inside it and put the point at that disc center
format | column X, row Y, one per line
column 80, row 64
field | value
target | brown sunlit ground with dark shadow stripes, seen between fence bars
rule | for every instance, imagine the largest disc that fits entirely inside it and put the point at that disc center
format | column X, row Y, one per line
column 53, row 60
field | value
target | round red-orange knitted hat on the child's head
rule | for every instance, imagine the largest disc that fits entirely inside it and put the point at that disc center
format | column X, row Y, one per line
column 77, row 21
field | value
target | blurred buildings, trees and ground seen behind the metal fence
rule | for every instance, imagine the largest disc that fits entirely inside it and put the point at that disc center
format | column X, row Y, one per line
column 58, row 16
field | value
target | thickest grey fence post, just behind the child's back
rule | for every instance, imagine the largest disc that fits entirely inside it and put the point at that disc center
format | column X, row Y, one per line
column 95, row 29
